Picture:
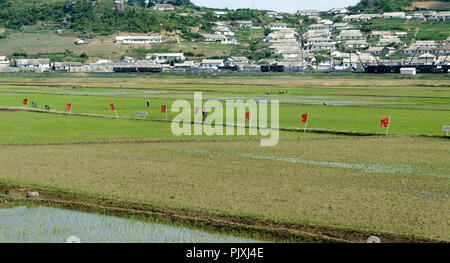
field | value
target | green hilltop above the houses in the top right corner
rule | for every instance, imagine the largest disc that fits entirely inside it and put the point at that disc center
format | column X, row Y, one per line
column 379, row 6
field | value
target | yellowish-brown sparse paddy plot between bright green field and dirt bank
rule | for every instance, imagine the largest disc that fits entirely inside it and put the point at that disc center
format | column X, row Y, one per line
column 398, row 184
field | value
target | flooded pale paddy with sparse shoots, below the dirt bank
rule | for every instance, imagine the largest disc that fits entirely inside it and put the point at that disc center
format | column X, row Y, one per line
column 54, row 225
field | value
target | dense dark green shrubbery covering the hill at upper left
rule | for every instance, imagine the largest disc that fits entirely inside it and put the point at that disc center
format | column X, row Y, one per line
column 87, row 16
